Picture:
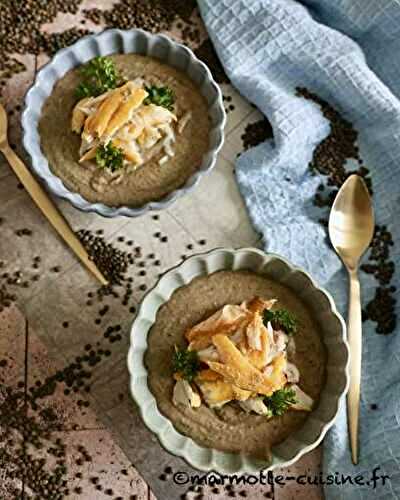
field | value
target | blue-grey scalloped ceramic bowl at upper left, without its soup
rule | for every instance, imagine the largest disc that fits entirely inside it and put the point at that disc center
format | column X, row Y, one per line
column 111, row 42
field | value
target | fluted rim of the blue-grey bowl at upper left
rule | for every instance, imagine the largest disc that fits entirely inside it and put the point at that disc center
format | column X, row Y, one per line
column 56, row 185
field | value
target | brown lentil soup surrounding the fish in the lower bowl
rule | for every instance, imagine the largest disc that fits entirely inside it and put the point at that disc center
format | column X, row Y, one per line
column 228, row 426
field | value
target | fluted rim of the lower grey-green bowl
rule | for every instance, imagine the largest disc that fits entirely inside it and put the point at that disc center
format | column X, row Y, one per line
column 159, row 430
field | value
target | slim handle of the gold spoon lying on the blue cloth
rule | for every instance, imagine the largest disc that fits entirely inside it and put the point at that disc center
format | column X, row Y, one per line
column 354, row 335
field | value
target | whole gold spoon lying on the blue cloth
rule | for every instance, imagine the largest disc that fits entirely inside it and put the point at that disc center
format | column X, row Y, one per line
column 351, row 228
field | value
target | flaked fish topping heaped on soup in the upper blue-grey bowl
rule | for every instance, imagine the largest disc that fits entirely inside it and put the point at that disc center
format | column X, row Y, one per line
column 124, row 128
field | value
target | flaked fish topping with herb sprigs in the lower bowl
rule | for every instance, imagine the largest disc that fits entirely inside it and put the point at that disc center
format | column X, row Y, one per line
column 240, row 355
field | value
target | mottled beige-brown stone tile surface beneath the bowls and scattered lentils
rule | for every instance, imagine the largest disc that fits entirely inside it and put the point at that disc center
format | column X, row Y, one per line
column 110, row 428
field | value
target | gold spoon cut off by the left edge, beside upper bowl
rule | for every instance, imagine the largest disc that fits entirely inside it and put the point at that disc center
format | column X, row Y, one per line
column 43, row 201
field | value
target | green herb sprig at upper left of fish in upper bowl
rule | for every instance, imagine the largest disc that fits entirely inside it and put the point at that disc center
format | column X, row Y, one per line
column 99, row 75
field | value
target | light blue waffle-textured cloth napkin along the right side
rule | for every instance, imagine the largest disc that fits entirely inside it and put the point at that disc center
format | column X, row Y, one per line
column 347, row 52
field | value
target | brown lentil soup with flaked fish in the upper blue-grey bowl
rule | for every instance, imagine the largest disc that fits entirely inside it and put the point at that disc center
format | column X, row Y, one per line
column 154, row 166
